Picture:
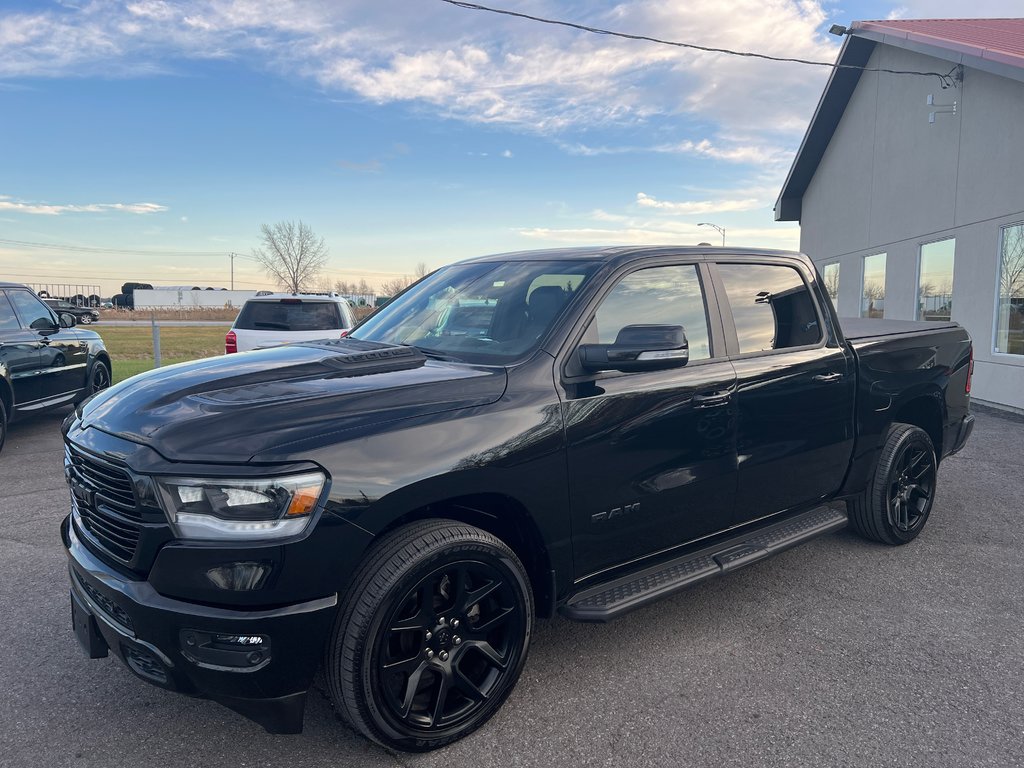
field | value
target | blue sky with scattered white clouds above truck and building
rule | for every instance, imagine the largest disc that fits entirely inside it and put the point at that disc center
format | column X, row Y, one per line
column 162, row 135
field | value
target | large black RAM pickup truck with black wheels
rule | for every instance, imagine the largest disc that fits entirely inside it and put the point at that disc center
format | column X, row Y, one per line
column 581, row 432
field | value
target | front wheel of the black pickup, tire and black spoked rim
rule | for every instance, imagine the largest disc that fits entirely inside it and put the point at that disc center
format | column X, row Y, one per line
column 433, row 636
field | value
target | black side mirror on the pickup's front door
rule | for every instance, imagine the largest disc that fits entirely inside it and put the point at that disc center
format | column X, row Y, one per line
column 638, row 349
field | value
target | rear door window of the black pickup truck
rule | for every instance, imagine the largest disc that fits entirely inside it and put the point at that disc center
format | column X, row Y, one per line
column 773, row 308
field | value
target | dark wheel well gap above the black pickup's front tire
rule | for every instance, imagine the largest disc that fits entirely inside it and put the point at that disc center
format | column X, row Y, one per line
column 506, row 519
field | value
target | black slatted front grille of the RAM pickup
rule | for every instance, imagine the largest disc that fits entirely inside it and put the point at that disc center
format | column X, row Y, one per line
column 105, row 499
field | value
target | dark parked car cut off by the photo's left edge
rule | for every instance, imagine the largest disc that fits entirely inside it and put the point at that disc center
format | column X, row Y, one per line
column 46, row 362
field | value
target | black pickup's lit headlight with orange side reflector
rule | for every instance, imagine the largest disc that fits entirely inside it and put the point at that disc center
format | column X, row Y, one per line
column 241, row 509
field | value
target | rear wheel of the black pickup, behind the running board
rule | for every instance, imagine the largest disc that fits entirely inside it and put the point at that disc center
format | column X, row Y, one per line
column 895, row 506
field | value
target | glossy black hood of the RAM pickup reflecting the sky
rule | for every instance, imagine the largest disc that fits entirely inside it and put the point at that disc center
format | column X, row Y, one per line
column 275, row 404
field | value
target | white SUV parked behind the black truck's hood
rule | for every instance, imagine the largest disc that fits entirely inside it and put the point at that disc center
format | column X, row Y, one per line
column 281, row 318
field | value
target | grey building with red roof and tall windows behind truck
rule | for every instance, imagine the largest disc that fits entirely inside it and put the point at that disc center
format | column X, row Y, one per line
column 909, row 185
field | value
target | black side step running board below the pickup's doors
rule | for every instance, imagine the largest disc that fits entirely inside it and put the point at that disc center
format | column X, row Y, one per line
column 608, row 602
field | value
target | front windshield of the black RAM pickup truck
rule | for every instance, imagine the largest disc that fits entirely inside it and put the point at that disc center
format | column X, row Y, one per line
column 488, row 313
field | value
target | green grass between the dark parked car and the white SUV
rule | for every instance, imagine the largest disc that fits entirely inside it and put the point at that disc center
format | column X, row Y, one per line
column 132, row 349
